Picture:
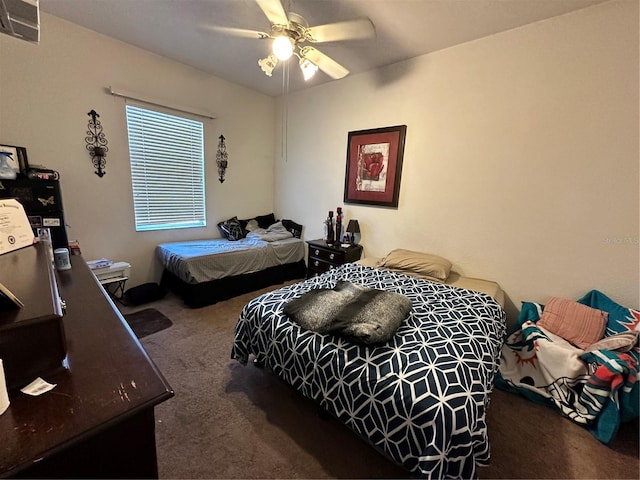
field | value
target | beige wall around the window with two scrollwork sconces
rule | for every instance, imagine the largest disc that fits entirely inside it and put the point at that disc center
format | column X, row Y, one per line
column 46, row 91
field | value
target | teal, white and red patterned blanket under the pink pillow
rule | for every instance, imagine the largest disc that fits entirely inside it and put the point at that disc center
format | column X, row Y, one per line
column 597, row 389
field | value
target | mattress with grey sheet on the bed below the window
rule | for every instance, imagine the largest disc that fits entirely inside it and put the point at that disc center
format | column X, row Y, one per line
column 201, row 261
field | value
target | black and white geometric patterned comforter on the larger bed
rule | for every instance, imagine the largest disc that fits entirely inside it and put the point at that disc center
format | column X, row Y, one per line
column 419, row 398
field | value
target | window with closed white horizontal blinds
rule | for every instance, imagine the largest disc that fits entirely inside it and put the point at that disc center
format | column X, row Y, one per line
column 167, row 170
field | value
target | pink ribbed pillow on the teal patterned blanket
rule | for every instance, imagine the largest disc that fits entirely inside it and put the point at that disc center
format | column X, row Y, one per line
column 576, row 323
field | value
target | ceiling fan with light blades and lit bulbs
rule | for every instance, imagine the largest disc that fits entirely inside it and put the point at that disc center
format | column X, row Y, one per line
column 290, row 33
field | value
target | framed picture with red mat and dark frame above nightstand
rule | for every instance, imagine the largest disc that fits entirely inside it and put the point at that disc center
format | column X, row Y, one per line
column 374, row 166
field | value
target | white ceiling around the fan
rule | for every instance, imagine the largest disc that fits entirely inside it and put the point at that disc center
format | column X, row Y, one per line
column 189, row 30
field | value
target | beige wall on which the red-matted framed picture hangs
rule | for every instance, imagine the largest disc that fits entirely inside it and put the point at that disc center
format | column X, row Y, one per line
column 521, row 161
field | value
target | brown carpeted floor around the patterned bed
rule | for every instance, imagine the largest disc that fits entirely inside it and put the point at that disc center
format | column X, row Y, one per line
column 231, row 421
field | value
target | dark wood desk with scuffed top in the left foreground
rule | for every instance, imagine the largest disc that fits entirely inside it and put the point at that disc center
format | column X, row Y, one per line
column 99, row 421
